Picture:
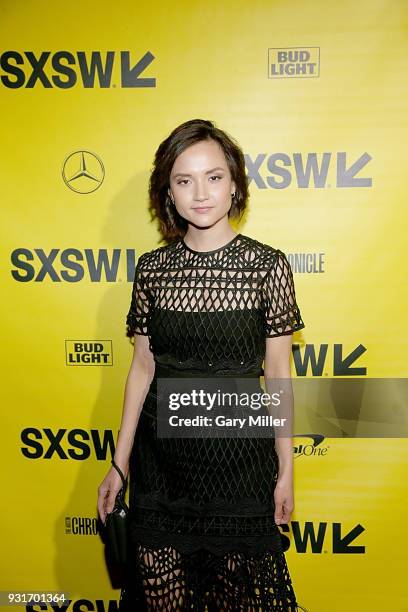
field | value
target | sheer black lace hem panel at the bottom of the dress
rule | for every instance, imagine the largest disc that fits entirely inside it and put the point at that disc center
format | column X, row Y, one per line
column 165, row 580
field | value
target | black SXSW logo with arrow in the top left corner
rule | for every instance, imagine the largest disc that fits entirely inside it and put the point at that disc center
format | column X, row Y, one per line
column 66, row 69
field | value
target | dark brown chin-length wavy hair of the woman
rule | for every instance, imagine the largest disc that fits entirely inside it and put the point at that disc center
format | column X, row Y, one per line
column 172, row 225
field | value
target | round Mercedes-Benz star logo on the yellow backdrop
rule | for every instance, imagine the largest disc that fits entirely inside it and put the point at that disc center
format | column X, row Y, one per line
column 83, row 171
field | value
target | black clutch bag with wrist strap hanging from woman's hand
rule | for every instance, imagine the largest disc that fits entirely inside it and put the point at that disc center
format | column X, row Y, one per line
column 116, row 525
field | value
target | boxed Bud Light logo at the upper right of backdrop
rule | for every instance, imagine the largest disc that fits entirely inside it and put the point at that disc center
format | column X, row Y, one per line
column 292, row 62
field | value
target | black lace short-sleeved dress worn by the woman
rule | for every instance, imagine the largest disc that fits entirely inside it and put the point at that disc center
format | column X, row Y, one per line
column 202, row 529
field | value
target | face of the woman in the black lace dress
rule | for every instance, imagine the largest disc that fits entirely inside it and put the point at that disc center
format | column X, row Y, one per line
column 201, row 184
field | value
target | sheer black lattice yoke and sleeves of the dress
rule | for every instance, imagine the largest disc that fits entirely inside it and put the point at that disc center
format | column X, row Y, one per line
column 243, row 275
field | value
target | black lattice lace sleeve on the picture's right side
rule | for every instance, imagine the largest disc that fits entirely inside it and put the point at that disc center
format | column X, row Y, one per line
column 282, row 314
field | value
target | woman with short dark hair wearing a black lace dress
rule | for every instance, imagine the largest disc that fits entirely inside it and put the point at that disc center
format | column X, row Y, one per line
column 212, row 303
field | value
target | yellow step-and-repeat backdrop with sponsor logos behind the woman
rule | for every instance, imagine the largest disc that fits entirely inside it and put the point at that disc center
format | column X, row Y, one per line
column 315, row 93
